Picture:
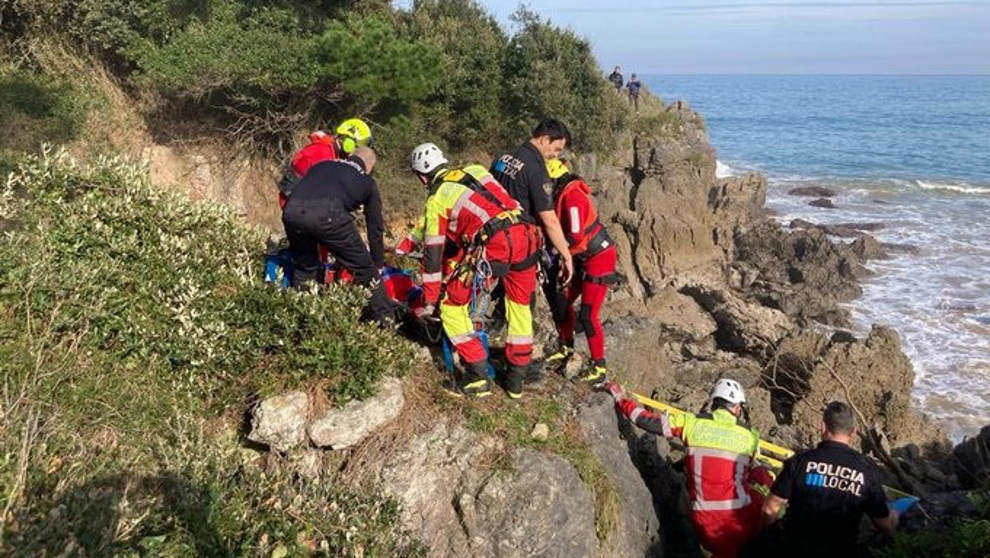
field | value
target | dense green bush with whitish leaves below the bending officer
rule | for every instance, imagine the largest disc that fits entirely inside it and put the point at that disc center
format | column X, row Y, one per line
column 154, row 278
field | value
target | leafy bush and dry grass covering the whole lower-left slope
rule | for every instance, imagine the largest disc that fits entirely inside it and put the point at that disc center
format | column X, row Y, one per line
column 134, row 332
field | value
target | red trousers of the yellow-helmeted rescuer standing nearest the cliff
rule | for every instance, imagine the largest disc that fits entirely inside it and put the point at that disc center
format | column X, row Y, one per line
column 587, row 285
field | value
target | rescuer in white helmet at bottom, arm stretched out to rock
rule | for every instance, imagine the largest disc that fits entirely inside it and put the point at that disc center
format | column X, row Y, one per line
column 724, row 484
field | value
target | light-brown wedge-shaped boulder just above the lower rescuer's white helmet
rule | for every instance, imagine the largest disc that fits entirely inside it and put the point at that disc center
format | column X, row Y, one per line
column 742, row 326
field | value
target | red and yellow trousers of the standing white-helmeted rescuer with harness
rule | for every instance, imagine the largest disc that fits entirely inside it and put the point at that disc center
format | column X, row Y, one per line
column 510, row 248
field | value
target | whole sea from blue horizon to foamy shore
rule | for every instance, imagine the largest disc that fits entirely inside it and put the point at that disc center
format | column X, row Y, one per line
column 912, row 152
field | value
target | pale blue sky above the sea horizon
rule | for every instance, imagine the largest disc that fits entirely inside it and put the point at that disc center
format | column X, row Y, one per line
column 732, row 36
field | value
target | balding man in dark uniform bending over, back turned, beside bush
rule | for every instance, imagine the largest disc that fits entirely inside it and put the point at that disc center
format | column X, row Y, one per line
column 319, row 211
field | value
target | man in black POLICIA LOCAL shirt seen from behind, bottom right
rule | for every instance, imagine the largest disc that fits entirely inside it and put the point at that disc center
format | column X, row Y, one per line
column 827, row 491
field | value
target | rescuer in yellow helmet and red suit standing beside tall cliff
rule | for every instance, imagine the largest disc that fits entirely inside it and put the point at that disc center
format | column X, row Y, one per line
column 594, row 257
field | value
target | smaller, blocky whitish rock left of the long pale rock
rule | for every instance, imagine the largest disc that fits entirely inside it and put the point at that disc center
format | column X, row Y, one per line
column 280, row 421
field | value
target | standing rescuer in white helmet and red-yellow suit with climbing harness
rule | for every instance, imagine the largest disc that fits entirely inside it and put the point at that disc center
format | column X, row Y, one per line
column 472, row 226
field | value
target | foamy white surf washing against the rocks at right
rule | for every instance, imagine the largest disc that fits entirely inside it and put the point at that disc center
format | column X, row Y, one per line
column 938, row 300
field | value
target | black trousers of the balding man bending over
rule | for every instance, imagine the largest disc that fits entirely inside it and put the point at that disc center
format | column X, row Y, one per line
column 311, row 222
